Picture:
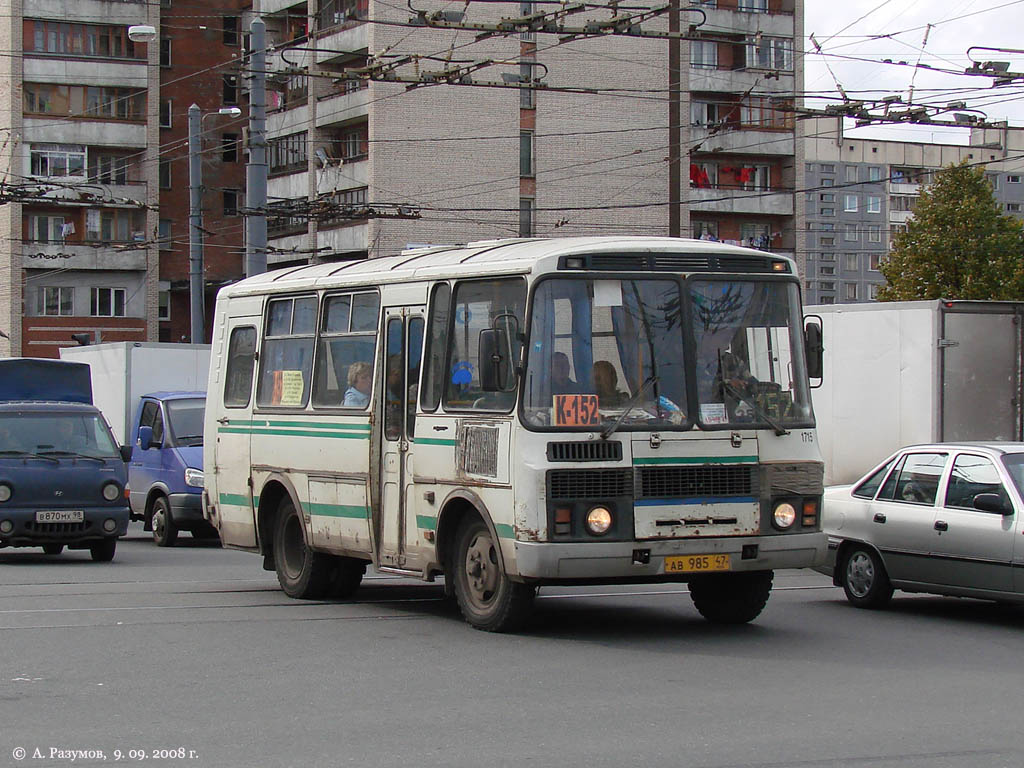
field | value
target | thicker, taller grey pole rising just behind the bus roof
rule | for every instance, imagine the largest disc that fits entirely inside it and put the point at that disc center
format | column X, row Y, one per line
column 257, row 169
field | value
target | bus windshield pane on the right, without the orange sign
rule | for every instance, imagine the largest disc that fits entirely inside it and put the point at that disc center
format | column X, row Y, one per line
column 750, row 354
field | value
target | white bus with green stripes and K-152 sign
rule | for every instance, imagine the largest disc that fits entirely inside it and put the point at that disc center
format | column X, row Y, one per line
column 521, row 413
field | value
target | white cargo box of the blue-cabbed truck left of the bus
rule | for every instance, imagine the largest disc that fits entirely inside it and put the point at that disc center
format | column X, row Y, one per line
column 124, row 371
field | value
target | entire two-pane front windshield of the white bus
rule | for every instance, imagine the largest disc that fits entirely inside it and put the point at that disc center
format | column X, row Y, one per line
column 613, row 353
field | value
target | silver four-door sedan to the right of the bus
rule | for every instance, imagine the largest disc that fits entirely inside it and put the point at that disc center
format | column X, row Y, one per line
column 943, row 519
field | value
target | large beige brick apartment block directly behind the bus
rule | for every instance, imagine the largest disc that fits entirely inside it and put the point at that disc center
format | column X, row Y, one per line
column 362, row 168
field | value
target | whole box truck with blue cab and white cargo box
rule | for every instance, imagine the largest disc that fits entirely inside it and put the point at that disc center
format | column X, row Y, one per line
column 154, row 397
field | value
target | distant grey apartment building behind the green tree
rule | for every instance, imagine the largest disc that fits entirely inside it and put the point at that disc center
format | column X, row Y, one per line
column 860, row 193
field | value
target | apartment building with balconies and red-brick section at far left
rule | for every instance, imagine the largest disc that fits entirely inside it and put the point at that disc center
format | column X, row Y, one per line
column 94, row 237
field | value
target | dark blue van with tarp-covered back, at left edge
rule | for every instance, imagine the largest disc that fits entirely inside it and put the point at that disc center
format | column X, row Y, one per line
column 63, row 477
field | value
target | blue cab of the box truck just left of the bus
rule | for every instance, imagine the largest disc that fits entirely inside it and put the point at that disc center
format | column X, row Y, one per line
column 166, row 470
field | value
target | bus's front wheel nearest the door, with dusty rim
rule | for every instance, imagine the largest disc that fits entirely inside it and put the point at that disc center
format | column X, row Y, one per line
column 488, row 599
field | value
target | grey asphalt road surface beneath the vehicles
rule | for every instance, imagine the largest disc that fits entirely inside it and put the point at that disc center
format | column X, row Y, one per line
column 196, row 651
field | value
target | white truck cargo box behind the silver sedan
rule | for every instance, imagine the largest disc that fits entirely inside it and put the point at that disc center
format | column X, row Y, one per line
column 903, row 373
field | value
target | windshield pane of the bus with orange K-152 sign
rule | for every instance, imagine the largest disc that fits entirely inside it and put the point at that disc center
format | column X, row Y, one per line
column 605, row 352
